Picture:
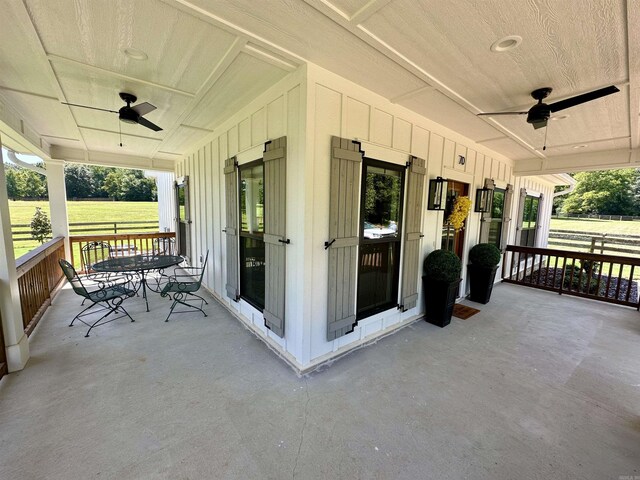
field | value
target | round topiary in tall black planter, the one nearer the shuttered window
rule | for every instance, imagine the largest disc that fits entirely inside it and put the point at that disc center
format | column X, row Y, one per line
column 440, row 280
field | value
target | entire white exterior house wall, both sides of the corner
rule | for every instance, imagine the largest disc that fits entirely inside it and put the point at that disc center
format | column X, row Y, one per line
column 309, row 107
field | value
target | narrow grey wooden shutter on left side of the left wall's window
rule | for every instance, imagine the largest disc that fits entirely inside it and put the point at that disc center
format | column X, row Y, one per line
column 231, row 195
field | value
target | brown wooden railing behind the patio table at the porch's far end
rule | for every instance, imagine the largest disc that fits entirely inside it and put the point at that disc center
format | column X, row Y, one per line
column 147, row 243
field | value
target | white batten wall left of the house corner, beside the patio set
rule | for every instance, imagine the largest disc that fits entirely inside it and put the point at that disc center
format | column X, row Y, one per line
column 276, row 113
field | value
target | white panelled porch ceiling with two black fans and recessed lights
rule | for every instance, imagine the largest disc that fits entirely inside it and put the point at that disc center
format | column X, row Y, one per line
column 208, row 57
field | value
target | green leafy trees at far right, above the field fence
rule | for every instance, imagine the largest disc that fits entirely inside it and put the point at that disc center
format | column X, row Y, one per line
column 609, row 192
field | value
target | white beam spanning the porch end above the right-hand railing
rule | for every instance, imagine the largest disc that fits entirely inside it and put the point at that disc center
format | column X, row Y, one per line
column 579, row 162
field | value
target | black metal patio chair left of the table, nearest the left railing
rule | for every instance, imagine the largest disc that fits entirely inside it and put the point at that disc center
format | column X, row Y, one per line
column 108, row 295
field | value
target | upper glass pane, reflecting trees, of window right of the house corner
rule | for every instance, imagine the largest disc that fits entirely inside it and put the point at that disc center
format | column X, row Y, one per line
column 382, row 202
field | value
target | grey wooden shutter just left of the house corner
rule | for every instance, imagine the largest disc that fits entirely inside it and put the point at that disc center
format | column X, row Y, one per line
column 275, row 241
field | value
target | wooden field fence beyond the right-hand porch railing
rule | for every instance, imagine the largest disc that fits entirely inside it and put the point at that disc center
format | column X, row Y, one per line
column 595, row 242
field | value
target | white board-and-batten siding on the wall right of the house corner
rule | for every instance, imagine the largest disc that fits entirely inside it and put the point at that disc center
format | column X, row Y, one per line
column 387, row 132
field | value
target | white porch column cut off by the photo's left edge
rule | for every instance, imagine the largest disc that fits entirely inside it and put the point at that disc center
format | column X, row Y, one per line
column 16, row 342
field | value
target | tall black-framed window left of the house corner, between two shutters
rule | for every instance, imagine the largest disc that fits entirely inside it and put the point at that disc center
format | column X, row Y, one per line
column 252, row 251
